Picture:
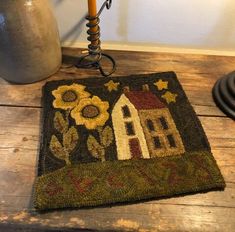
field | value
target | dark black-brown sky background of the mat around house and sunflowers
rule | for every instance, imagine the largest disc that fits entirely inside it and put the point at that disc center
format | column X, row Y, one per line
column 184, row 116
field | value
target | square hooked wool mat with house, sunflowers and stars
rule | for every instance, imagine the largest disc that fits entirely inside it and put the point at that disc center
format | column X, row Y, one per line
column 120, row 139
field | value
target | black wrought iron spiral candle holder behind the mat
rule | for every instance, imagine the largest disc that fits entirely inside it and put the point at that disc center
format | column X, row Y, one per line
column 95, row 55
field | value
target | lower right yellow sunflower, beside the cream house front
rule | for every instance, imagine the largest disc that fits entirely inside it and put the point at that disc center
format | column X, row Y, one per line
column 91, row 112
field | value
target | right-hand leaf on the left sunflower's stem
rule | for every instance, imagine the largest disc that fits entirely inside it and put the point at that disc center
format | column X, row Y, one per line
column 70, row 139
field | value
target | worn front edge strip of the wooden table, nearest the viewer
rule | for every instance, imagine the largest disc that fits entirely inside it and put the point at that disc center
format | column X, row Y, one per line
column 137, row 217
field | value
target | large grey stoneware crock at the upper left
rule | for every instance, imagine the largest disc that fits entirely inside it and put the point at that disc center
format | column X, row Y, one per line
column 29, row 41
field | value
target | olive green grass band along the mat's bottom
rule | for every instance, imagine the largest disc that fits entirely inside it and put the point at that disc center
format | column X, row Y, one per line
column 141, row 180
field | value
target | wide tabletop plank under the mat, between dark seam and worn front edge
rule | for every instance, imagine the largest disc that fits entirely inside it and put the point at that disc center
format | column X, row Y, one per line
column 19, row 139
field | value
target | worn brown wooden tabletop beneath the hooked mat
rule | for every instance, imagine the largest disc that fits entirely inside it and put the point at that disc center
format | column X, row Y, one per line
column 20, row 109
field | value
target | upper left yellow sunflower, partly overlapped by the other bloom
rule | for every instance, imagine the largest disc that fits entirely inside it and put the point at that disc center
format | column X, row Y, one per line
column 68, row 96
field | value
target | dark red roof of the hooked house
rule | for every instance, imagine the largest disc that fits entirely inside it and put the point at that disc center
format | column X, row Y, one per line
column 144, row 100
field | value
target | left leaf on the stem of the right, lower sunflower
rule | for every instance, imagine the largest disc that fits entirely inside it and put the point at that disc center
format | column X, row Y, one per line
column 95, row 148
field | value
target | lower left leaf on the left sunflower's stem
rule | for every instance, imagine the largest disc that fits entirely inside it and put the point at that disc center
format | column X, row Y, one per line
column 58, row 150
